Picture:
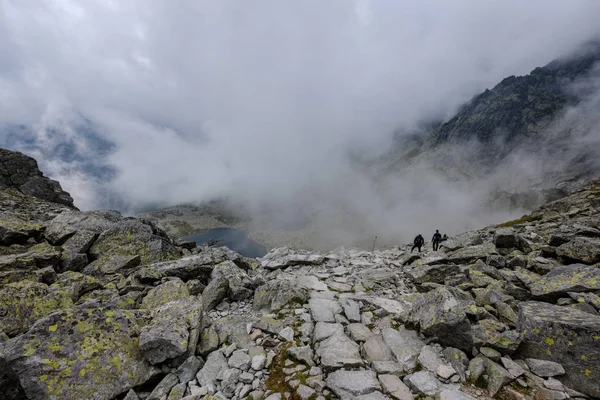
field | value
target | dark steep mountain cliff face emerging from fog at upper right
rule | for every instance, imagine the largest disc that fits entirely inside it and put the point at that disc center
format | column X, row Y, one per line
column 519, row 107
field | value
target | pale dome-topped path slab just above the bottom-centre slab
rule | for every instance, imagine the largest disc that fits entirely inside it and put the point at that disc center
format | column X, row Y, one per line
column 339, row 351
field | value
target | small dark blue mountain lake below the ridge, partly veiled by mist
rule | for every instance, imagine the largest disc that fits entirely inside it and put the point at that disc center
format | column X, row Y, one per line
column 234, row 239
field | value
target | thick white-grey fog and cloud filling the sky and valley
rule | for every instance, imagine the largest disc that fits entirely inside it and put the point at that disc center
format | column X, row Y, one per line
column 262, row 102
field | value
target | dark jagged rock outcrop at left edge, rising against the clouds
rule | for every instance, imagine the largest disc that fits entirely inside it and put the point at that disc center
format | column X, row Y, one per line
column 21, row 172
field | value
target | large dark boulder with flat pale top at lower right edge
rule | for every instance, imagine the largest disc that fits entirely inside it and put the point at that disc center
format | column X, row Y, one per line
column 566, row 336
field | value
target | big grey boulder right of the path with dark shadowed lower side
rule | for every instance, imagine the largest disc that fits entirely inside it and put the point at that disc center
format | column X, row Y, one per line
column 442, row 314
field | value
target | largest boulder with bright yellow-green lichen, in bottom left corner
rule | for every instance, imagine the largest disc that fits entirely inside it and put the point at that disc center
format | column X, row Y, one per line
column 85, row 352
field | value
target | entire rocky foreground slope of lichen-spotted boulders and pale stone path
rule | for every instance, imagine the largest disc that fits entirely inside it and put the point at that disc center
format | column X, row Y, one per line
column 94, row 305
